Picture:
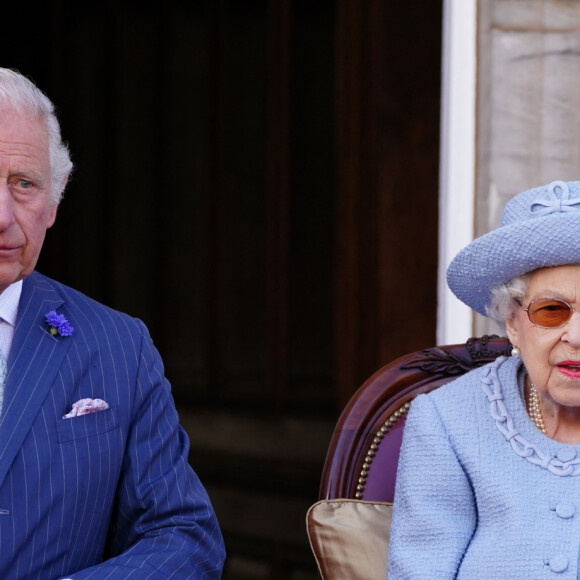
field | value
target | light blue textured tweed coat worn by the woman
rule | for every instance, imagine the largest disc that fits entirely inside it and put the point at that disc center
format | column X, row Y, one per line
column 481, row 493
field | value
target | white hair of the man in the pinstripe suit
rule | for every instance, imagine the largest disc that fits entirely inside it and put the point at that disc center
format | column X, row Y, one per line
column 20, row 94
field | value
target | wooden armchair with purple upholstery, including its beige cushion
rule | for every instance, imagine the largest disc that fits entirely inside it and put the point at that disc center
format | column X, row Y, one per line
column 349, row 527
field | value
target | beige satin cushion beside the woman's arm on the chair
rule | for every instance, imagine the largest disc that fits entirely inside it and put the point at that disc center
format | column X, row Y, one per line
column 350, row 538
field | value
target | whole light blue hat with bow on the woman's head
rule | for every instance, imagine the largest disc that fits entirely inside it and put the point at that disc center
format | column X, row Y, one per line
column 539, row 228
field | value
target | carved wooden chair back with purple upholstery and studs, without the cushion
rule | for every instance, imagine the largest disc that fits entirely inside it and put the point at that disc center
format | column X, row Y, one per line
column 364, row 451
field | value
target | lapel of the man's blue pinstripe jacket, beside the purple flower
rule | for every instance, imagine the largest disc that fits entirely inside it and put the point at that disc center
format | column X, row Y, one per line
column 35, row 359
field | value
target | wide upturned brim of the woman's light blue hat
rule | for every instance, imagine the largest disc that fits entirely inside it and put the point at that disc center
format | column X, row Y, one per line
column 509, row 251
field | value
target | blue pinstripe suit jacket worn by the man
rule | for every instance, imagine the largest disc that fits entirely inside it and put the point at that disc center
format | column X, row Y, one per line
column 108, row 495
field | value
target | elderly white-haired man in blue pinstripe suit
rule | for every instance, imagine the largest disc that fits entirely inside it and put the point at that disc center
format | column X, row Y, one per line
column 94, row 479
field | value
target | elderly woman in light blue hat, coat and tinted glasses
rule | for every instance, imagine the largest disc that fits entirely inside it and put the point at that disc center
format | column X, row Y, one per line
column 488, row 484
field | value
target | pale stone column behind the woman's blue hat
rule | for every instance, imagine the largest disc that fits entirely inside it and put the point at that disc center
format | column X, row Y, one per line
column 528, row 119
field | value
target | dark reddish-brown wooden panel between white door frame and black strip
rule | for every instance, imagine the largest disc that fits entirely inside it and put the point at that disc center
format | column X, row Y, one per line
column 388, row 126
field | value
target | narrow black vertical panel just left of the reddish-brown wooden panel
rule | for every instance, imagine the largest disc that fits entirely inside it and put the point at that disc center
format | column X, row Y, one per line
column 311, row 211
